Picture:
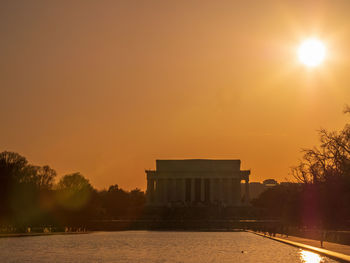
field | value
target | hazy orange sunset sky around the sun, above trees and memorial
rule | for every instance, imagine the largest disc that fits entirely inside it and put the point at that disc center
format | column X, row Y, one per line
column 108, row 87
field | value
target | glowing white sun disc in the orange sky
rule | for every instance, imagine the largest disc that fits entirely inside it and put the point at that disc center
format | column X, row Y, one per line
column 312, row 52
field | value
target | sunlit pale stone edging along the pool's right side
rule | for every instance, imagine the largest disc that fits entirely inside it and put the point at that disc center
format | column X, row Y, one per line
column 326, row 252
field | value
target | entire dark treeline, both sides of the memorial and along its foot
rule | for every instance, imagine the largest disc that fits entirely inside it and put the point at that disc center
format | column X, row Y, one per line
column 29, row 195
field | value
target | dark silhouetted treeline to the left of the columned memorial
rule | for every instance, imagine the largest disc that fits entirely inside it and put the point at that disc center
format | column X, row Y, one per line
column 29, row 197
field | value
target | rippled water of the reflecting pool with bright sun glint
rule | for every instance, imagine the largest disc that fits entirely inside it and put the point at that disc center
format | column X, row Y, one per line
column 153, row 247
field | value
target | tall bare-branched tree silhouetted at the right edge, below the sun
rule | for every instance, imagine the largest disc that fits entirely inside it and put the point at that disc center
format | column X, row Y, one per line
column 325, row 174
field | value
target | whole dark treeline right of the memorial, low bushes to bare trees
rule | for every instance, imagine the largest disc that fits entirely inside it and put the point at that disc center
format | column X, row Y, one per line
column 322, row 197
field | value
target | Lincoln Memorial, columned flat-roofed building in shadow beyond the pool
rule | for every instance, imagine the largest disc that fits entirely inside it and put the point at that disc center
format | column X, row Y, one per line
column 197, row 181
